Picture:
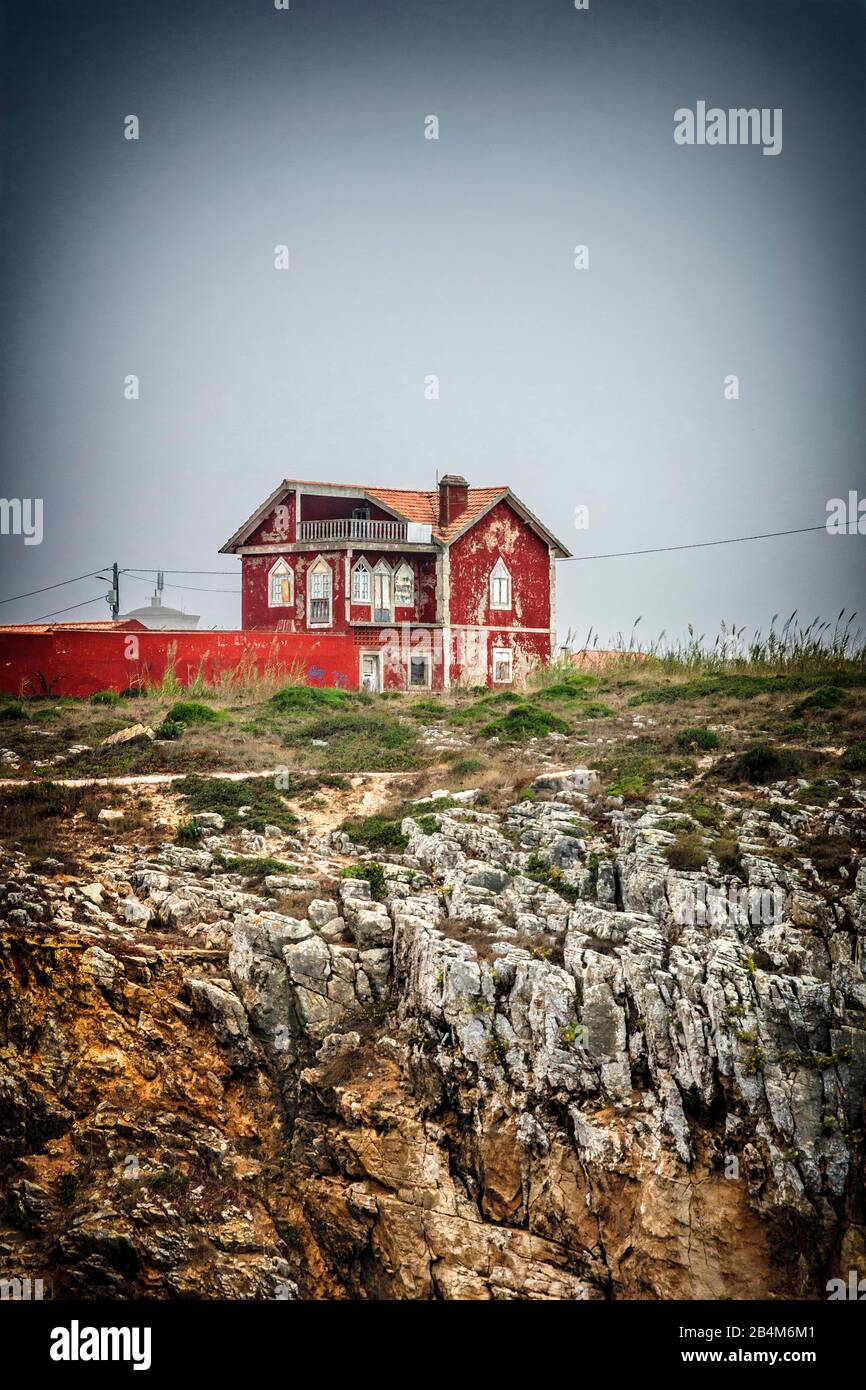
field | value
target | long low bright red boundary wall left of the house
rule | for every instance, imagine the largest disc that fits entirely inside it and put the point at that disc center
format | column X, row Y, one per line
column 80, row 662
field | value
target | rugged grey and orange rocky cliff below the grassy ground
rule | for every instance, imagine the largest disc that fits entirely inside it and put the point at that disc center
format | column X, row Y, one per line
column 523, row 1058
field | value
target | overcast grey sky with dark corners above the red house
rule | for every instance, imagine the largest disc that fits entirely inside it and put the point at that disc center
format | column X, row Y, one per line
column 409, row 258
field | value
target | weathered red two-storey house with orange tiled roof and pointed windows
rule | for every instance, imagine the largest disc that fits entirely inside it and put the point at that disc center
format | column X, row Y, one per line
column 433, row 589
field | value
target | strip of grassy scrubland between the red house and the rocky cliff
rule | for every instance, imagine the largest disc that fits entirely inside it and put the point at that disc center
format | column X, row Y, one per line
column 786, row 705
